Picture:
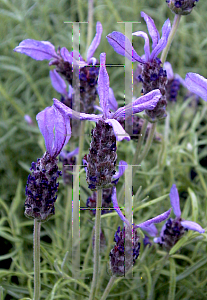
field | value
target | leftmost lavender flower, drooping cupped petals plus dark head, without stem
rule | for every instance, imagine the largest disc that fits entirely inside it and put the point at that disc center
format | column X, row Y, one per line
column 42, row 183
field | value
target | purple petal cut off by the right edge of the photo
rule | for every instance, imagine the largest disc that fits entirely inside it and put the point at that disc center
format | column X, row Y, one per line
column 197, row 84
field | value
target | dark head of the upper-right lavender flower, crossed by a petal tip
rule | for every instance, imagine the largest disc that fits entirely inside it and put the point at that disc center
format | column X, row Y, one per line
column 154, row 77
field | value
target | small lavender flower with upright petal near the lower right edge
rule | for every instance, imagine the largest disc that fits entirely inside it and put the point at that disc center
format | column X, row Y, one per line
column 174, row 229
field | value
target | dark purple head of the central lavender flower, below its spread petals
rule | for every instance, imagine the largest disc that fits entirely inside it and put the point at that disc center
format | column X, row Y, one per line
column 101, row 160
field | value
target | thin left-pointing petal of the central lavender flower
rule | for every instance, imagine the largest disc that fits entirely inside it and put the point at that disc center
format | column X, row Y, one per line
column 74, row 114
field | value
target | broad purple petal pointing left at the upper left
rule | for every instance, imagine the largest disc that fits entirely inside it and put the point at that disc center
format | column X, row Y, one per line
column 38, row 50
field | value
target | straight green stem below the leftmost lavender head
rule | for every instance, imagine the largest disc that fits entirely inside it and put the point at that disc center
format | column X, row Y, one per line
column 36, row 259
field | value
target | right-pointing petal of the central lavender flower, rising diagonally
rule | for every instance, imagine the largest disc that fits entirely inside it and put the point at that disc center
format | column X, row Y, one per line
column 148, row 101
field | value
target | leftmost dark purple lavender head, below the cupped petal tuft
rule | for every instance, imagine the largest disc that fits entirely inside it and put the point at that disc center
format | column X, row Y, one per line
column 41, row 188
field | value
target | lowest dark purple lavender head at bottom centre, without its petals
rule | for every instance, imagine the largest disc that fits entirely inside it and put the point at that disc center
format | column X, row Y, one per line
column 125, row 251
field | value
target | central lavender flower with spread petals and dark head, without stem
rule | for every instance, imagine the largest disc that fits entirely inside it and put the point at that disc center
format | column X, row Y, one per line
column 101, row 160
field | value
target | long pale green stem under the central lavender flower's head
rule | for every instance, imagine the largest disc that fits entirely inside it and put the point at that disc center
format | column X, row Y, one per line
column 96, row 245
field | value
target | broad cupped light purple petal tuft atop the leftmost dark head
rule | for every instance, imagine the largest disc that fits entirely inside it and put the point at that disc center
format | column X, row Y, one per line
column 51, row 119
